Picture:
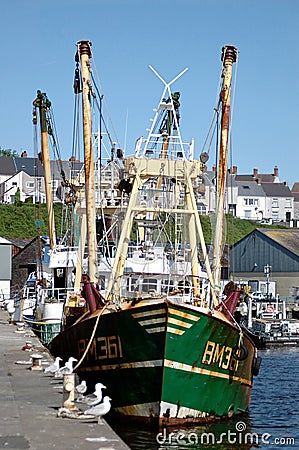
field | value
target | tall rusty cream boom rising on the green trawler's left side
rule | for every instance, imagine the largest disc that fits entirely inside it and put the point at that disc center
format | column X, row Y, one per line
column 84, row 53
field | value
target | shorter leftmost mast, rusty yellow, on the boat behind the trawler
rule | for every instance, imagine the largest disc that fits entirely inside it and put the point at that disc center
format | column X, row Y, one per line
column 43, row 104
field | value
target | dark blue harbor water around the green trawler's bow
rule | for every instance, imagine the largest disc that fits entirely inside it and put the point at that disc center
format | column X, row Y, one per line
column 272, row 422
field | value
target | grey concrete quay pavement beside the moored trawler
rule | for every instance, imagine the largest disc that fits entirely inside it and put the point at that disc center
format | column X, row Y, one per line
column 31, row 400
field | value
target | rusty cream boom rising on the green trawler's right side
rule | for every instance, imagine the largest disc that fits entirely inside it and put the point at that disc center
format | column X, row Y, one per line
column 229, row 56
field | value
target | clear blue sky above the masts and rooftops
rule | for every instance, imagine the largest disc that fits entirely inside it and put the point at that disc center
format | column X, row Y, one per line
column 38, row 47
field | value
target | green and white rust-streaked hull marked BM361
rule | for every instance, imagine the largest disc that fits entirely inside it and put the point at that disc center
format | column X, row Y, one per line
column 172, row 363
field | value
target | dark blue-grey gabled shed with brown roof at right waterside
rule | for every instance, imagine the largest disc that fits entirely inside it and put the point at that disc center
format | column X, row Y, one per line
column 277, row 248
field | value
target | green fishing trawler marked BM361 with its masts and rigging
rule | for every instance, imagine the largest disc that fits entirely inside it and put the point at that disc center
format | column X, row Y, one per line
column 159, row 333
